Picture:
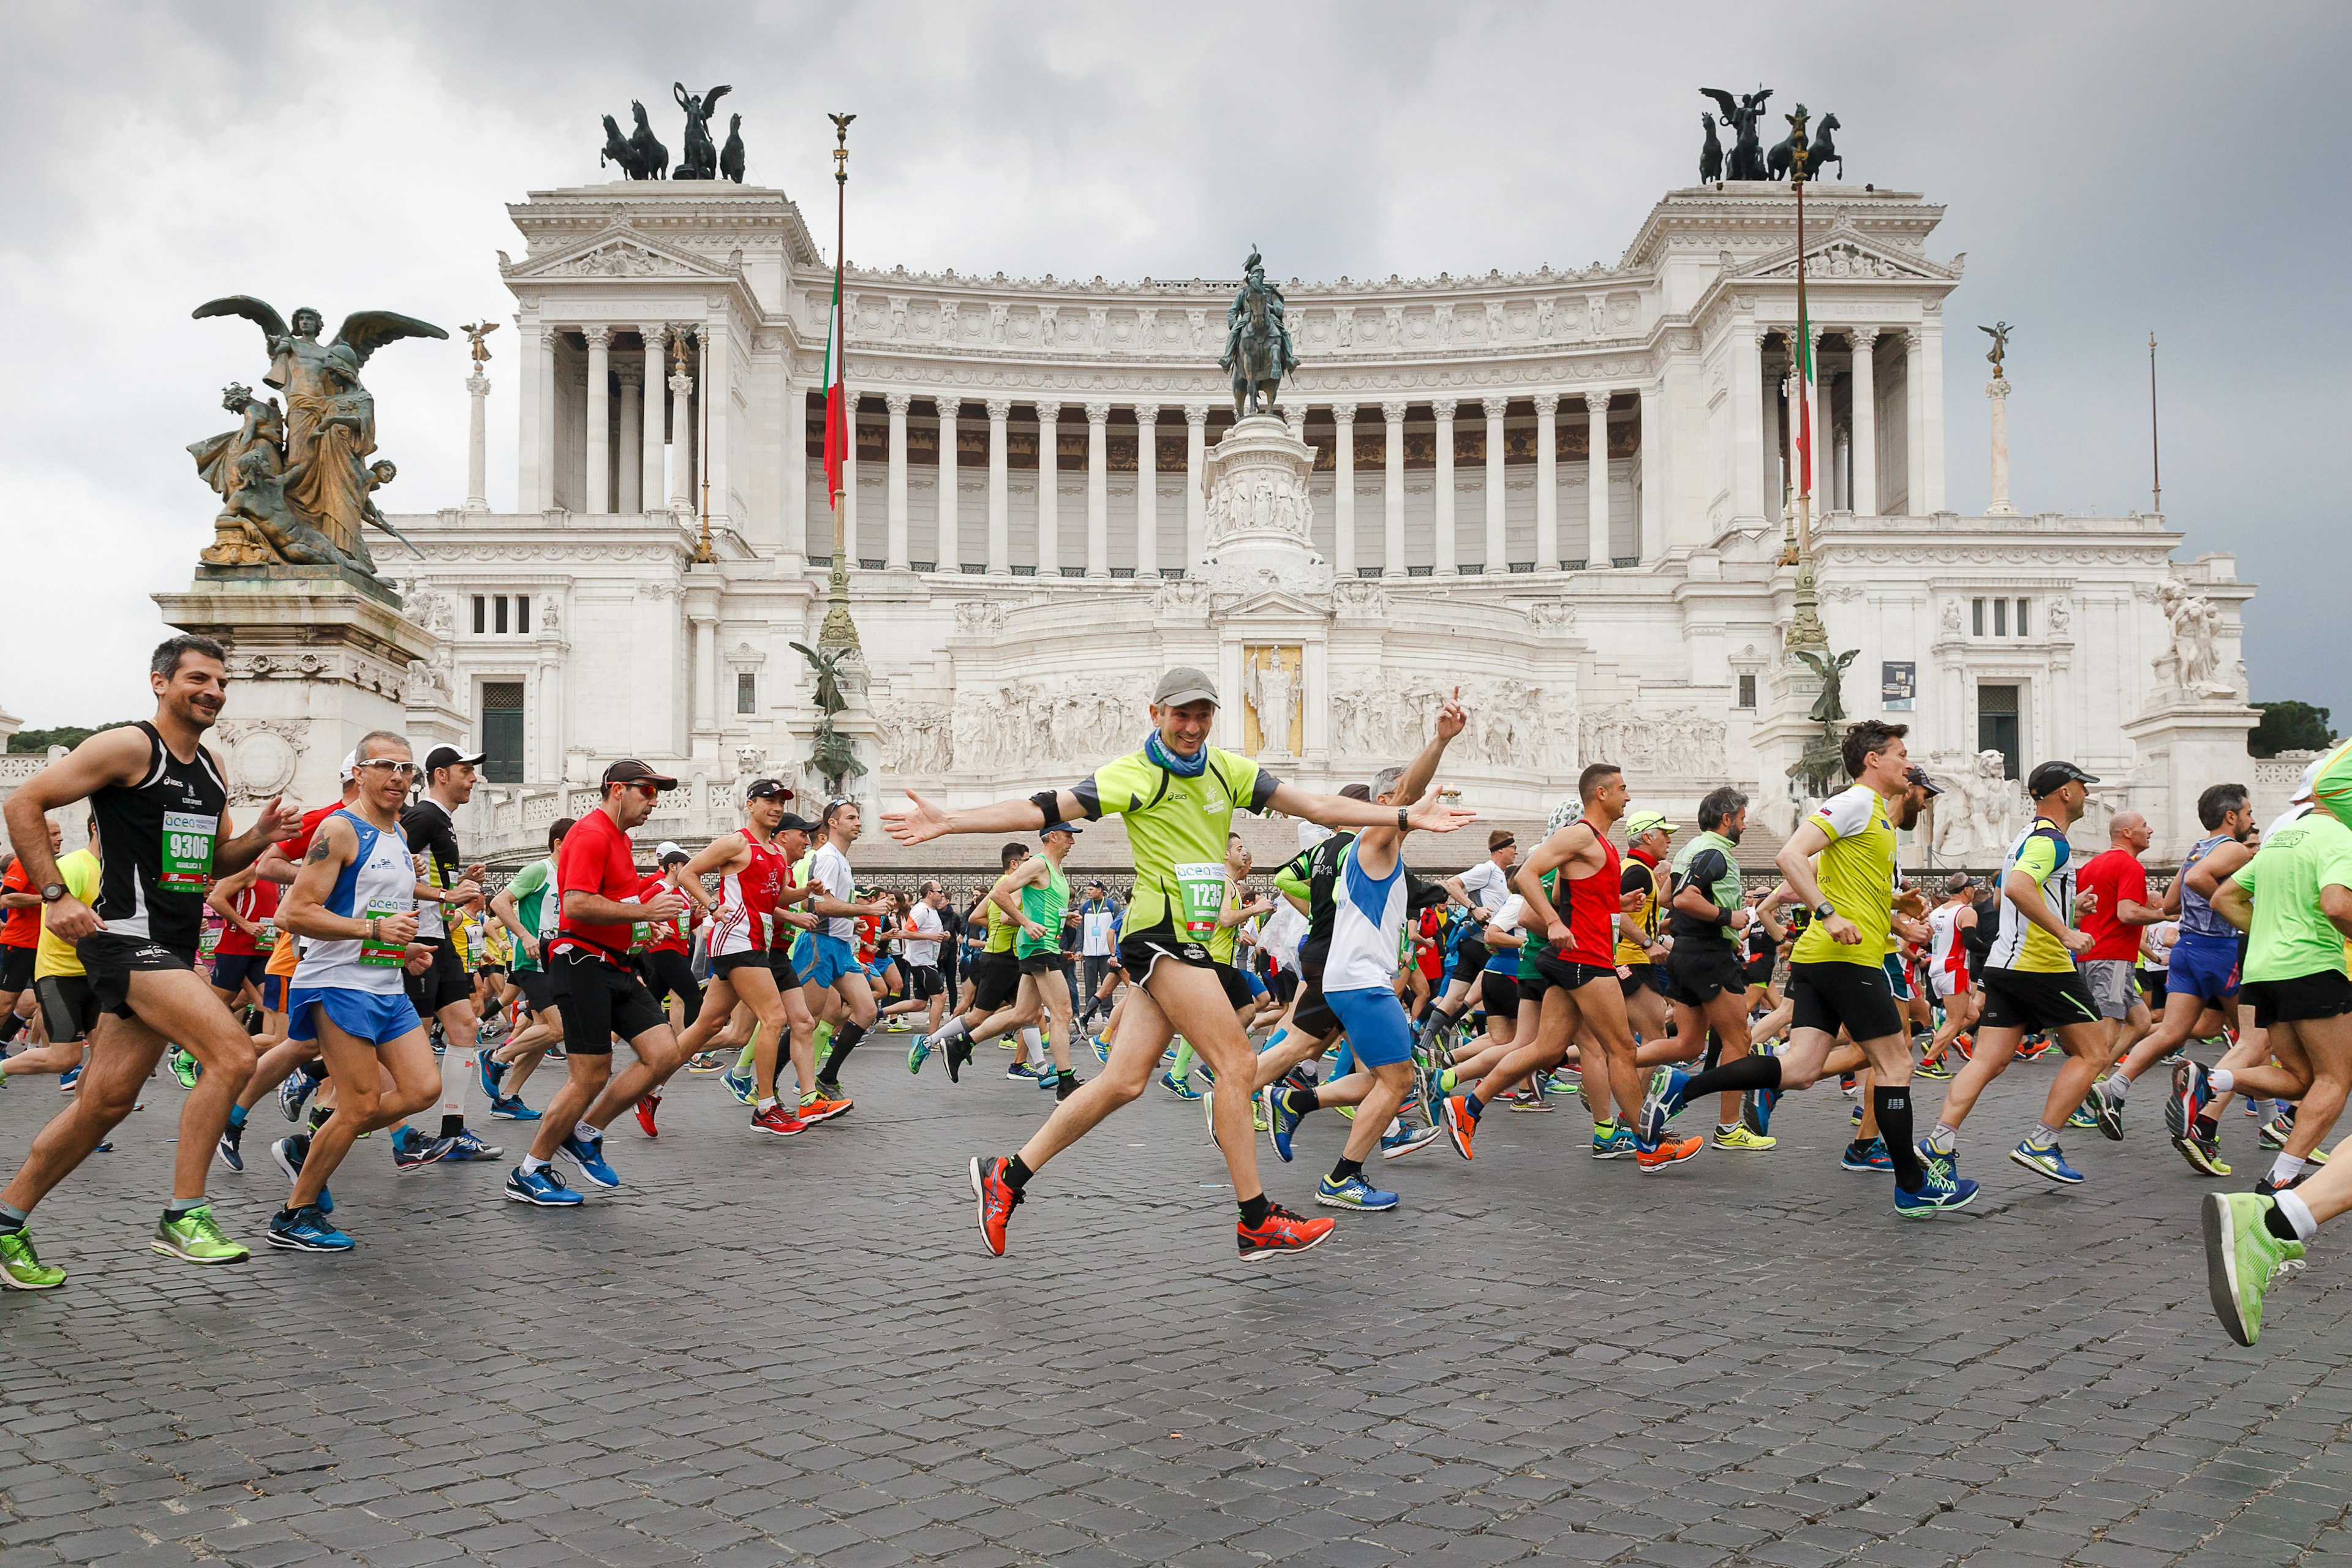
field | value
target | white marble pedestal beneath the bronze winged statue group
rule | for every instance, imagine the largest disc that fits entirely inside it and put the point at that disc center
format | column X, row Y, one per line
column 316, row 659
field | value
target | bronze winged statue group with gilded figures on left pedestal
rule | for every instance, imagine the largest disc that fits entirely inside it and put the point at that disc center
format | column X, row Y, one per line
column 298, row 488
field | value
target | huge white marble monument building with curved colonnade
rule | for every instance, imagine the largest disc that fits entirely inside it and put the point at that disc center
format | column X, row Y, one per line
column 1563, row 492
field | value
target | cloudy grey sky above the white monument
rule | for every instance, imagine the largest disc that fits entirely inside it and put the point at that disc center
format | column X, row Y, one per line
column 2111, row 170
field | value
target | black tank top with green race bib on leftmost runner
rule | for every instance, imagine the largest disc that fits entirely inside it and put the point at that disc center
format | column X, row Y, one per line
column 156, row 845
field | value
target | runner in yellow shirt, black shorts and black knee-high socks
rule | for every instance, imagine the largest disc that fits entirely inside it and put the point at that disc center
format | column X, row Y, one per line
column 1838, row 977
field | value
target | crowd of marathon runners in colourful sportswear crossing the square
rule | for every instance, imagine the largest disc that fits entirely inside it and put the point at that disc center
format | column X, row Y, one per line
column 356, row 972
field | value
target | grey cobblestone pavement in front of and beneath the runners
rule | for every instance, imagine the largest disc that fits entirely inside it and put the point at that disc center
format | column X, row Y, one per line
column 799, row 1353
